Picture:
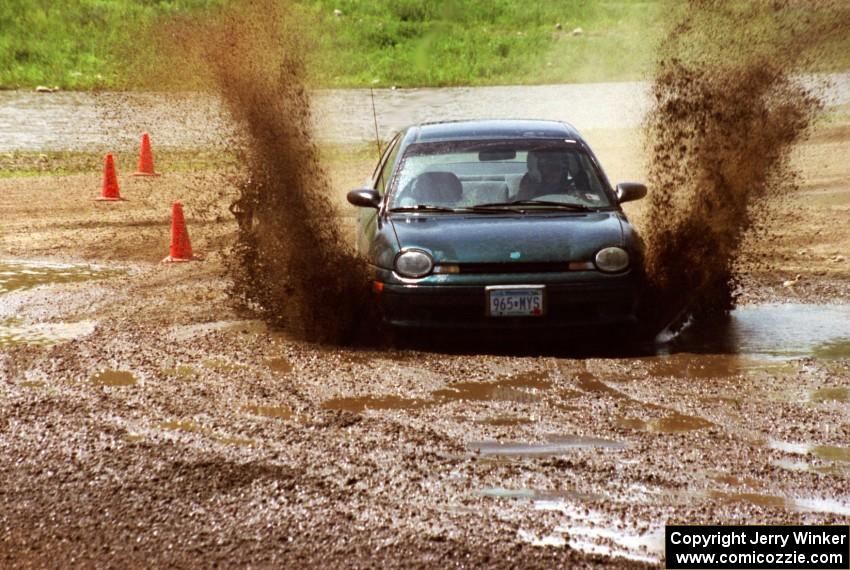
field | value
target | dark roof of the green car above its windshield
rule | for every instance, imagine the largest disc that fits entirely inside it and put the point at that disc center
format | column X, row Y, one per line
column 490, row 129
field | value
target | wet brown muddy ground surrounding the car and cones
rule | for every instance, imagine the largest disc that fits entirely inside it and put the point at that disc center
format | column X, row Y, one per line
column 145, row 422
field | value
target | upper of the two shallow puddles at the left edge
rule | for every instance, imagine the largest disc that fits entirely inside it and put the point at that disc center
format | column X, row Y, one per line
column 16, row 275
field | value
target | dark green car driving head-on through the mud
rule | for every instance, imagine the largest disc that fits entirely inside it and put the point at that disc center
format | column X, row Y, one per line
column 498, row 224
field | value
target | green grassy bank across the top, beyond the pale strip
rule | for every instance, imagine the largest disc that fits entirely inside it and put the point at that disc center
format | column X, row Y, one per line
column 77, row 44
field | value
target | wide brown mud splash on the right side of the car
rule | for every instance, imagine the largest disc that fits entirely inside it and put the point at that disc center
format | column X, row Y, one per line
column 728, row 109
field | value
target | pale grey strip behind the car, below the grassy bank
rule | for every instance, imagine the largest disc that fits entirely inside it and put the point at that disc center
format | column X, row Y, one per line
column 73, row 121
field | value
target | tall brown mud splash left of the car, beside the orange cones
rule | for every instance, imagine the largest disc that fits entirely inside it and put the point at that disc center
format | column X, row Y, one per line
column 291, row 263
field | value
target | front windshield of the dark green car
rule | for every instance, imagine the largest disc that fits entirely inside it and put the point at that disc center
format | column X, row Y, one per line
column 497, row 175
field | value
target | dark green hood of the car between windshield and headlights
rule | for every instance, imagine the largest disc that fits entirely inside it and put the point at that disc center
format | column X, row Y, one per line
column 492, row 238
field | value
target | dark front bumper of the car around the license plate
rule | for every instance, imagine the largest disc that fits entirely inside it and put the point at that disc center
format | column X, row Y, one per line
column 610, row 302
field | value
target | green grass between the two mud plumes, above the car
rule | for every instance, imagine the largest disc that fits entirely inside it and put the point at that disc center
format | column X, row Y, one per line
column 480, row 42
